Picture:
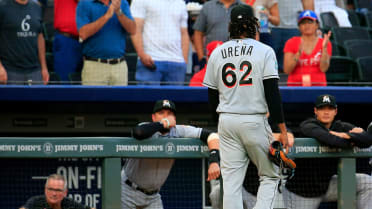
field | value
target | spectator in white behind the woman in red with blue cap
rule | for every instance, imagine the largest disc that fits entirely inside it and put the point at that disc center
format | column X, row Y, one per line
column 337, row 7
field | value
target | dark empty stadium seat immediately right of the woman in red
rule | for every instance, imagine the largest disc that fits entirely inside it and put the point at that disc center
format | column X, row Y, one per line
column 341, row 71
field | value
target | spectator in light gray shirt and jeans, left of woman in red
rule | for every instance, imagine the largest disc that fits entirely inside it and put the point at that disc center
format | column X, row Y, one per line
column 288, row 10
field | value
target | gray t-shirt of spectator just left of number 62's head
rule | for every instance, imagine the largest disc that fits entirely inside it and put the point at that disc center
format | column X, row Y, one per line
column 213, row 21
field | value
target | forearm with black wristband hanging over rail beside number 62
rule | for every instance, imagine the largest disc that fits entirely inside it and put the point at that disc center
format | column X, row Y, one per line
column 212, row 139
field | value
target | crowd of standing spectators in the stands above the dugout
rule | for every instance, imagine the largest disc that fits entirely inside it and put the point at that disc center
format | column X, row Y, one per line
column 116, row 42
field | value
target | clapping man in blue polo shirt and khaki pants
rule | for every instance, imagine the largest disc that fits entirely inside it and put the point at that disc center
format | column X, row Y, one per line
column 103, row 26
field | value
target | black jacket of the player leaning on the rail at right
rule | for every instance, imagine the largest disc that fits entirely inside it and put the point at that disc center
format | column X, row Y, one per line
column 312, row 175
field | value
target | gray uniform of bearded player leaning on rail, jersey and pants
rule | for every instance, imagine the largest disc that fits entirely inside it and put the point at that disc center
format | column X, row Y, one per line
column 146, row 176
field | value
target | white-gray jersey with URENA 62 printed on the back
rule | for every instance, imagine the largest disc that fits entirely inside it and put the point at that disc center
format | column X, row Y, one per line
column 237, row 69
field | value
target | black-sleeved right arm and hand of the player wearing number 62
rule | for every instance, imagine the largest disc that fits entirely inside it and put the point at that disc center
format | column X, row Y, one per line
column 274, row 103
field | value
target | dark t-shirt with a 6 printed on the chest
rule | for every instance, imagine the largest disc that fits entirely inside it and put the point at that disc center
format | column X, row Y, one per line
column 20, row 26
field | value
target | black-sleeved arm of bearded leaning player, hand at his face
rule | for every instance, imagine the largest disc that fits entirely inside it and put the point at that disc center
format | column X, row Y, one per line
column 146, row 130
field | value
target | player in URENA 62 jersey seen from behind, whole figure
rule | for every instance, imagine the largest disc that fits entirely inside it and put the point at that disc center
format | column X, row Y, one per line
column 242, row 80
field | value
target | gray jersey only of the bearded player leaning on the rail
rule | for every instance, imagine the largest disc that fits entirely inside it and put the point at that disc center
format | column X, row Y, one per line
column 150, row 174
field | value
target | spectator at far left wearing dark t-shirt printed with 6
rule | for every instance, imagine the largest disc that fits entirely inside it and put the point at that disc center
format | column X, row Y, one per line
column 22, row 48
